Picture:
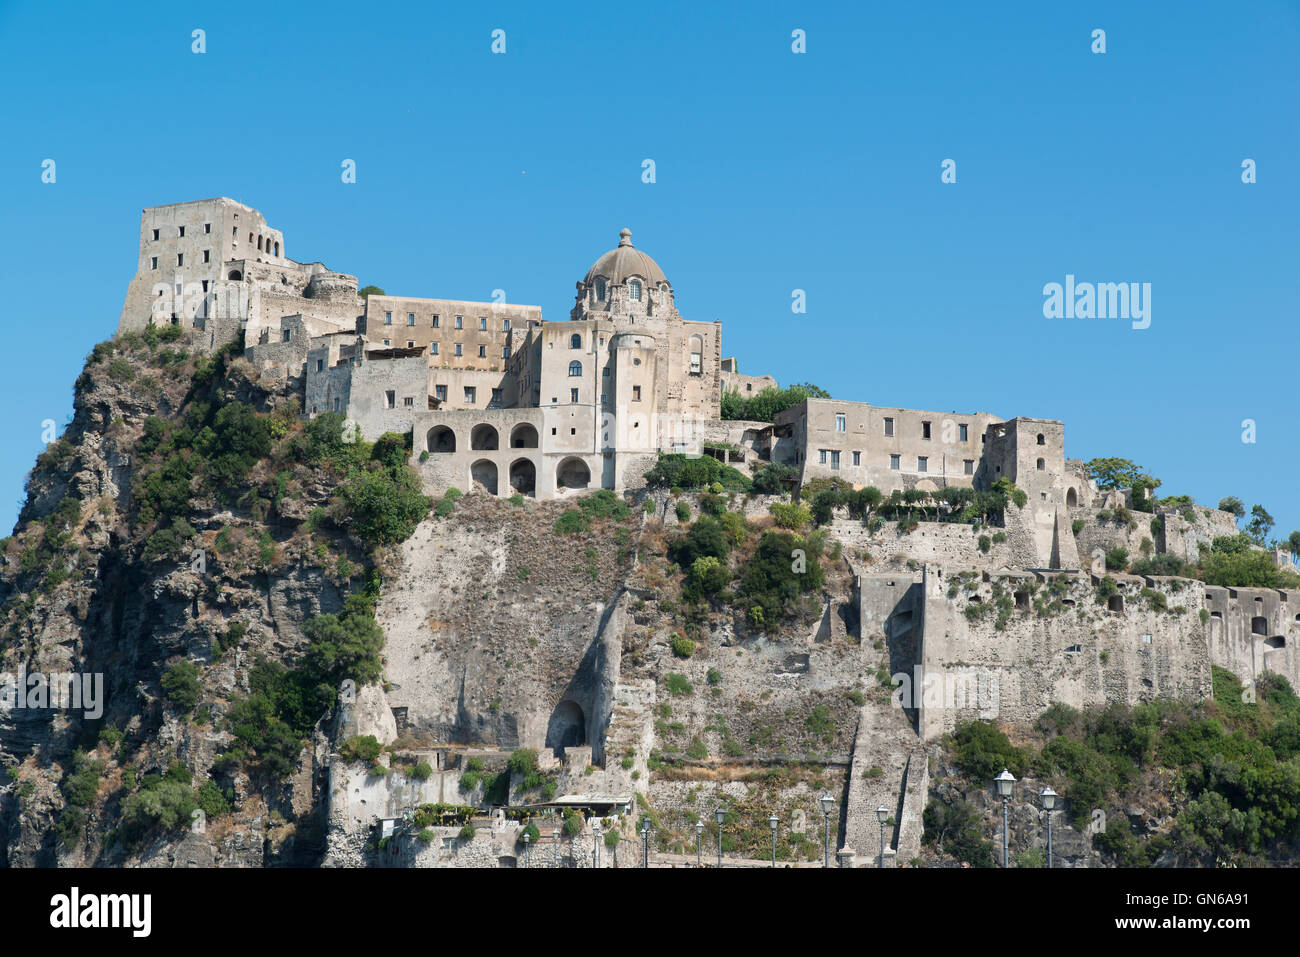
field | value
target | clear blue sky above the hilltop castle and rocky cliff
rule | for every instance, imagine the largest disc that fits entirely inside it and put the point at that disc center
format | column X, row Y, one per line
column 775, row 172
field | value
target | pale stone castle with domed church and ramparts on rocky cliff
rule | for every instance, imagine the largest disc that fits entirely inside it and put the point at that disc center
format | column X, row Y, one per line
column 501, row 401
